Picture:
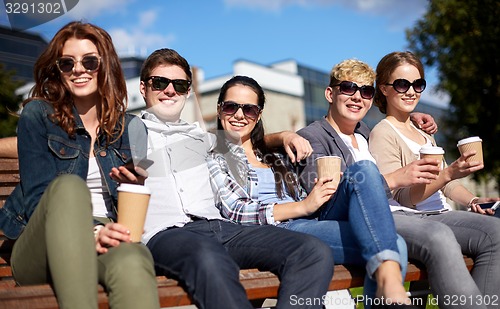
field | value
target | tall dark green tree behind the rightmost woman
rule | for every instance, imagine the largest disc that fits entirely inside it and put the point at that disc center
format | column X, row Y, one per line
column 461, row 38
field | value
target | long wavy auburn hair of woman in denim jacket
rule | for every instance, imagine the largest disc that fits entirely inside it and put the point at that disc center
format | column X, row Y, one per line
column 111, row 81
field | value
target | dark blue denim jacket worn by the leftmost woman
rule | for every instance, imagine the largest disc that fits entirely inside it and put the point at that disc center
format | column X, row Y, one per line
column 46, row 151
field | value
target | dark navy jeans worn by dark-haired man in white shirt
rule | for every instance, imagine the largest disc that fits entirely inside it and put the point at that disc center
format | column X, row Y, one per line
column 206, row 256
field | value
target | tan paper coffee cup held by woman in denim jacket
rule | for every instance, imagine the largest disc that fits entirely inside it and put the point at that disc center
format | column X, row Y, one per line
column 133, row 201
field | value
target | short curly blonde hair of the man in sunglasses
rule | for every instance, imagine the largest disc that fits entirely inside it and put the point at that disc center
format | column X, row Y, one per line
column 352, row 69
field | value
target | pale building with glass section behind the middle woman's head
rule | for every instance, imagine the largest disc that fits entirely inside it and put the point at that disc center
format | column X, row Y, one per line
column 295, row 95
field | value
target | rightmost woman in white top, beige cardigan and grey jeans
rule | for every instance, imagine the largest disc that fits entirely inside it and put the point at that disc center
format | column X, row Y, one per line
column 394, row 143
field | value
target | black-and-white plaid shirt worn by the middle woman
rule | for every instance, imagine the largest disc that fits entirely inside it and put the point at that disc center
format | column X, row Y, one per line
column 239, row 202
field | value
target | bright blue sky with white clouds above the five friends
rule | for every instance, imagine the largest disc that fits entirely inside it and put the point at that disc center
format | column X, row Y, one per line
column 212, row 34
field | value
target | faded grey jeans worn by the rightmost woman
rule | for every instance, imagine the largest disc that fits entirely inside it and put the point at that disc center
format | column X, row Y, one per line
column 440, row 241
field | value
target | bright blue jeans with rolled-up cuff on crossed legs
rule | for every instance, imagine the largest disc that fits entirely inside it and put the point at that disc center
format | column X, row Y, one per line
column 357, row 223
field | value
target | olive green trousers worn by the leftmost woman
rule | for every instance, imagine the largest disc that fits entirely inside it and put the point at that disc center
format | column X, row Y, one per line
column 58, row 247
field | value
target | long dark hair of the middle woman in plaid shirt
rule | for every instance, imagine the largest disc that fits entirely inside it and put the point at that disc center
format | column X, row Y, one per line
column 282, row 176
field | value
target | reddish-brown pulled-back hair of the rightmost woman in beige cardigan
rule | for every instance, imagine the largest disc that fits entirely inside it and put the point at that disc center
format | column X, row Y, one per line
column 386, row 66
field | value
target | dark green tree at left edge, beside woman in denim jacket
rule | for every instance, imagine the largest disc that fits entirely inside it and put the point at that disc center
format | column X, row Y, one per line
column 9, row 103
